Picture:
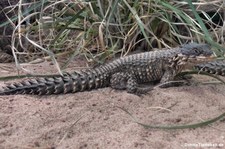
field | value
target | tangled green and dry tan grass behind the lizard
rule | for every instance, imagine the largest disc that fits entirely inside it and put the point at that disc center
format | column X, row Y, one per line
column 100, row 29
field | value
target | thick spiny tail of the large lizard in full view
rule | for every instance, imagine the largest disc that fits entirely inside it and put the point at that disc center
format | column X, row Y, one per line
column 75, row 82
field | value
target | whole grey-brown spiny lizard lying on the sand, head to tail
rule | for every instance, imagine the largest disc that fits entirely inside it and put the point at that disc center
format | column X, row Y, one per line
column 125, row 73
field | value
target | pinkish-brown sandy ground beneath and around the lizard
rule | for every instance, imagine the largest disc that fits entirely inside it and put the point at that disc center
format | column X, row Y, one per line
column 92, row 119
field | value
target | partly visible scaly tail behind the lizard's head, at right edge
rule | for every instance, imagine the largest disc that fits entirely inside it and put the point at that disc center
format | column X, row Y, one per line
column 214, row 67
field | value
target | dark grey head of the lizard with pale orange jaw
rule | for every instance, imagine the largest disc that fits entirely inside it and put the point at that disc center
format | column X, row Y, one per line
column 193, row 53
